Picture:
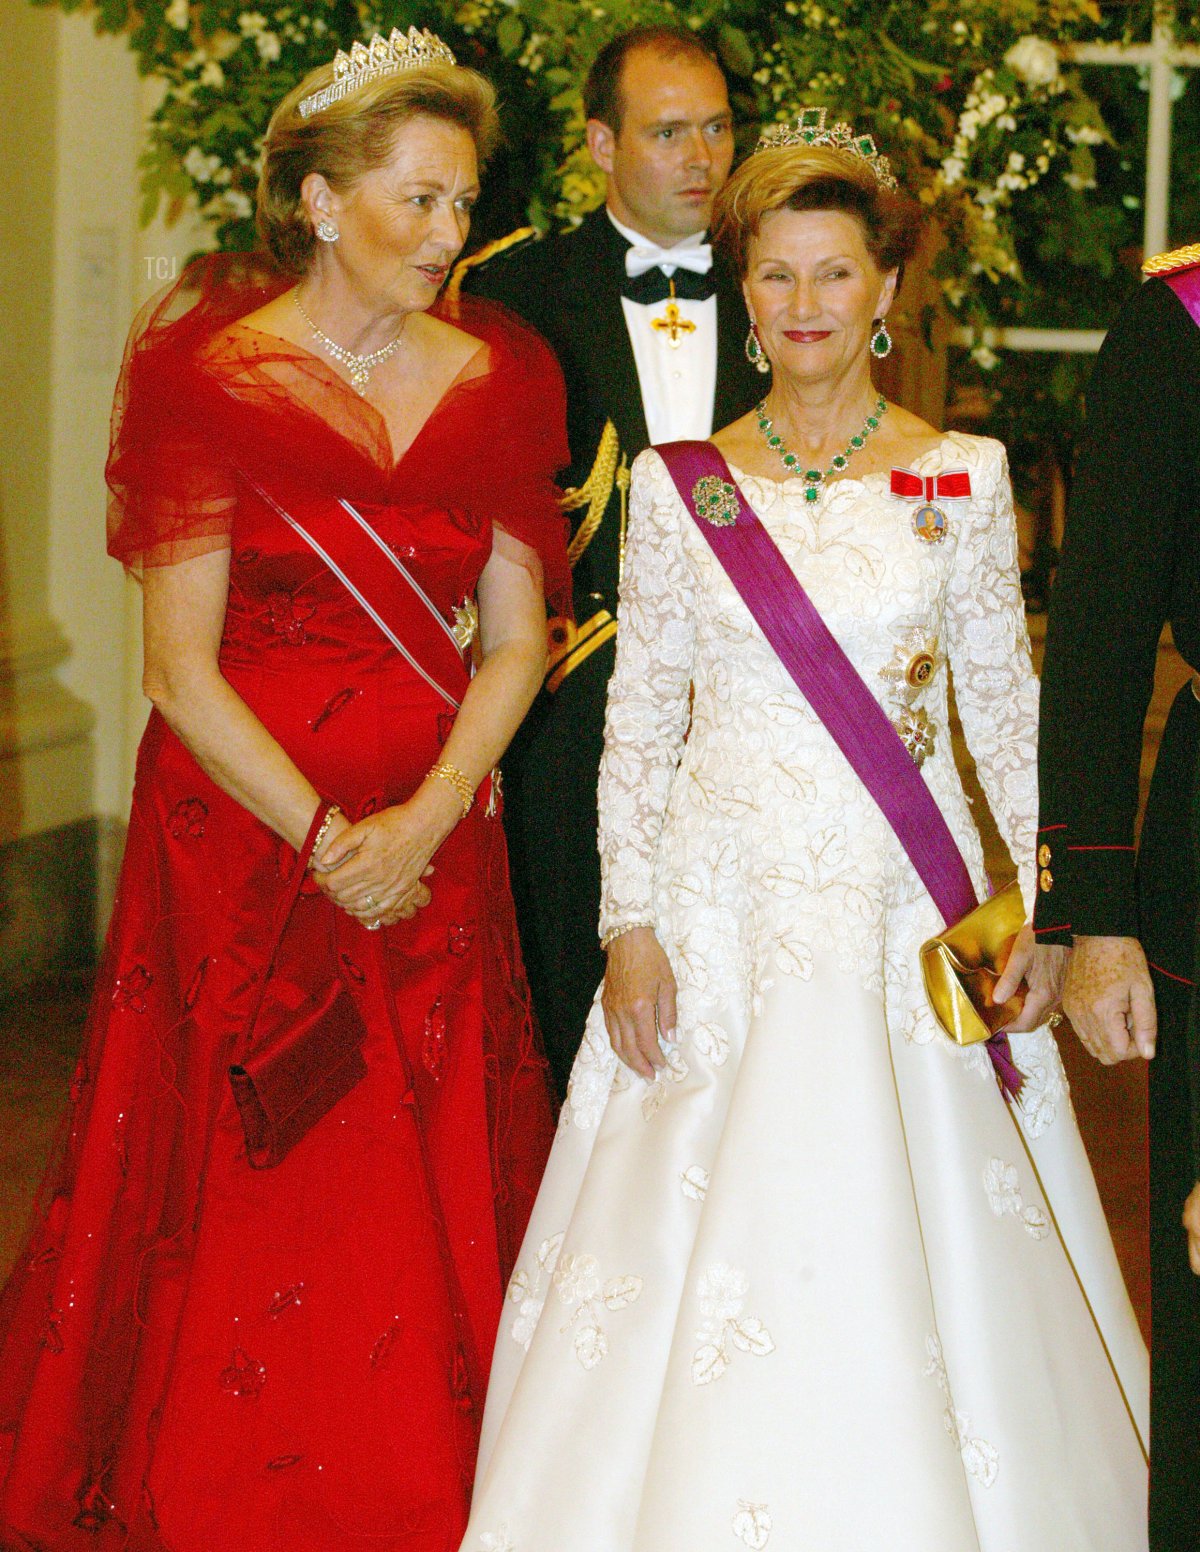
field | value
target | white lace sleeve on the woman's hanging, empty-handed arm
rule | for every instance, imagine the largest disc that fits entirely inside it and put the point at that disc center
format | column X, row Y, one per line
column 648, row 698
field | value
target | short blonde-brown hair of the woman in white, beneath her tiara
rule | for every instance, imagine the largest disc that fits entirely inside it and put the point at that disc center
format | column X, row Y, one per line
column 816, row 178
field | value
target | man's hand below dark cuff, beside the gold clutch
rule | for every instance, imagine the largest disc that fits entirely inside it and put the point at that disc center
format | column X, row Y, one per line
column 1109, row 999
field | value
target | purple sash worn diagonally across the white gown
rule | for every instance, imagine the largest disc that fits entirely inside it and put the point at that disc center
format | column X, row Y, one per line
column 833, row 687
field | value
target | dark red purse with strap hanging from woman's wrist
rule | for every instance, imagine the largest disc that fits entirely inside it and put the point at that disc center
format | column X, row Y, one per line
column 303, row 1047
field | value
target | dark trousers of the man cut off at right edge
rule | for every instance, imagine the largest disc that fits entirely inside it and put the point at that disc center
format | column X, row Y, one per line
column 1168, row 898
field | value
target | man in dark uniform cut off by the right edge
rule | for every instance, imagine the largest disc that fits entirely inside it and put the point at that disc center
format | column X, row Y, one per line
column 1132, row 564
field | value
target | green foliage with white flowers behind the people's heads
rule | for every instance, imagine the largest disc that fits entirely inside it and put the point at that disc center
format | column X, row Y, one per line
column 1030, row 167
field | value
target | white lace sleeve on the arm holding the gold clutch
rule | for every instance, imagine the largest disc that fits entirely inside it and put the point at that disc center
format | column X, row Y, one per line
column 994, row 677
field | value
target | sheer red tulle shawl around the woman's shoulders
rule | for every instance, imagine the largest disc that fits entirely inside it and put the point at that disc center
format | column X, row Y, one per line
column 203, row 398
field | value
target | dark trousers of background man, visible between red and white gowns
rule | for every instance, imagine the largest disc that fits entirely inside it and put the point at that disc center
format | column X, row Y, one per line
column 550, row 820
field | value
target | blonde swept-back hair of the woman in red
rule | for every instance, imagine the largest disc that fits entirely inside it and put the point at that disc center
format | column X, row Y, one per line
column 353, row 137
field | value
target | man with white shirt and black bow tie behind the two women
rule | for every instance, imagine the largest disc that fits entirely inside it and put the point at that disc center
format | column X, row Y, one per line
column 651, row 336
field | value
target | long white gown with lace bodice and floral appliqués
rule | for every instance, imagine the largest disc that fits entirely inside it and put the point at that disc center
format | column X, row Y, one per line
column 817, row 1289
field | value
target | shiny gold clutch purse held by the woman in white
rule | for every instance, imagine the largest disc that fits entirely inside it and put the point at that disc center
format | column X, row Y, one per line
column 962, row 968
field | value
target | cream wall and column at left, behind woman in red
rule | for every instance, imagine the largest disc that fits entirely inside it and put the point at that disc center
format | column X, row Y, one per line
column 74, row 271
